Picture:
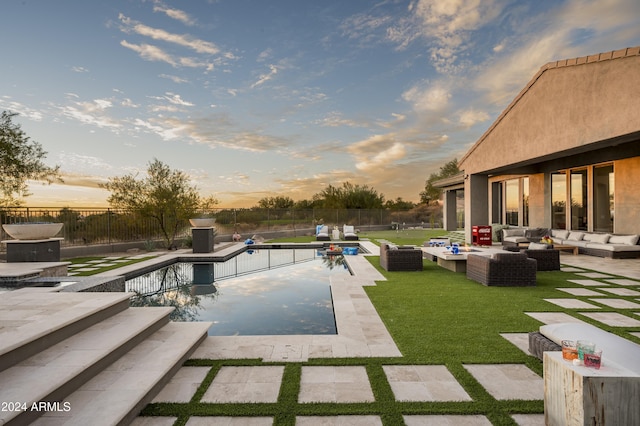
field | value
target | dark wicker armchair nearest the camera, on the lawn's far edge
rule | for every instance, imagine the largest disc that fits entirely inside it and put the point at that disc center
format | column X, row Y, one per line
column 502, row 270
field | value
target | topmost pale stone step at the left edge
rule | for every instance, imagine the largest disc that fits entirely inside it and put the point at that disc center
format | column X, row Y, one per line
column 32, row 320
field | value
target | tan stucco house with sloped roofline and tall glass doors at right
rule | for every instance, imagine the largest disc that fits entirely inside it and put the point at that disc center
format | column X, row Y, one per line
column 565, row 153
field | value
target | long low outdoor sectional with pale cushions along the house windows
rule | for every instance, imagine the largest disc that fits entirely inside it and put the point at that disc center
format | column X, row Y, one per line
column 590, row 243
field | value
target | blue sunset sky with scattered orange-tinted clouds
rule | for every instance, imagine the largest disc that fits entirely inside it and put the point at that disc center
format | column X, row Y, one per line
column 255, row 99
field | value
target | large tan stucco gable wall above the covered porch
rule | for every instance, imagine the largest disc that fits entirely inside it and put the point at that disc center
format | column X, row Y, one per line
column 565, row 107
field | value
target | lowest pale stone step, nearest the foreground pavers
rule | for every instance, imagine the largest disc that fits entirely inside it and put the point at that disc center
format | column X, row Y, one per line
column 120, row 392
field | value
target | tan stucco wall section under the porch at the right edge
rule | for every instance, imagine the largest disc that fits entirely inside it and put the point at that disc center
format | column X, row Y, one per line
column 627, row 196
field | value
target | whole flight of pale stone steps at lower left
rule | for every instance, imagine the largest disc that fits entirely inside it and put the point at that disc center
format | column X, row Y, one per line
column 92, row 355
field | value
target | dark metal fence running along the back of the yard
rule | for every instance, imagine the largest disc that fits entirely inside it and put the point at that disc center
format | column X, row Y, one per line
column 109, row 226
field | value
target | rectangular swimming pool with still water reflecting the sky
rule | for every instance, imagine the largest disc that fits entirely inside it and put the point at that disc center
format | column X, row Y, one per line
column 257, row 292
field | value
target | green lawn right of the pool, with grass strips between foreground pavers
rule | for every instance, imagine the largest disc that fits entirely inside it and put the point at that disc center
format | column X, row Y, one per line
column 435, row 317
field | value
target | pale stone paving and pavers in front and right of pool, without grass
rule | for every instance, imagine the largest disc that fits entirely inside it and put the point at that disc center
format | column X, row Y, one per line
column 361, row 333
